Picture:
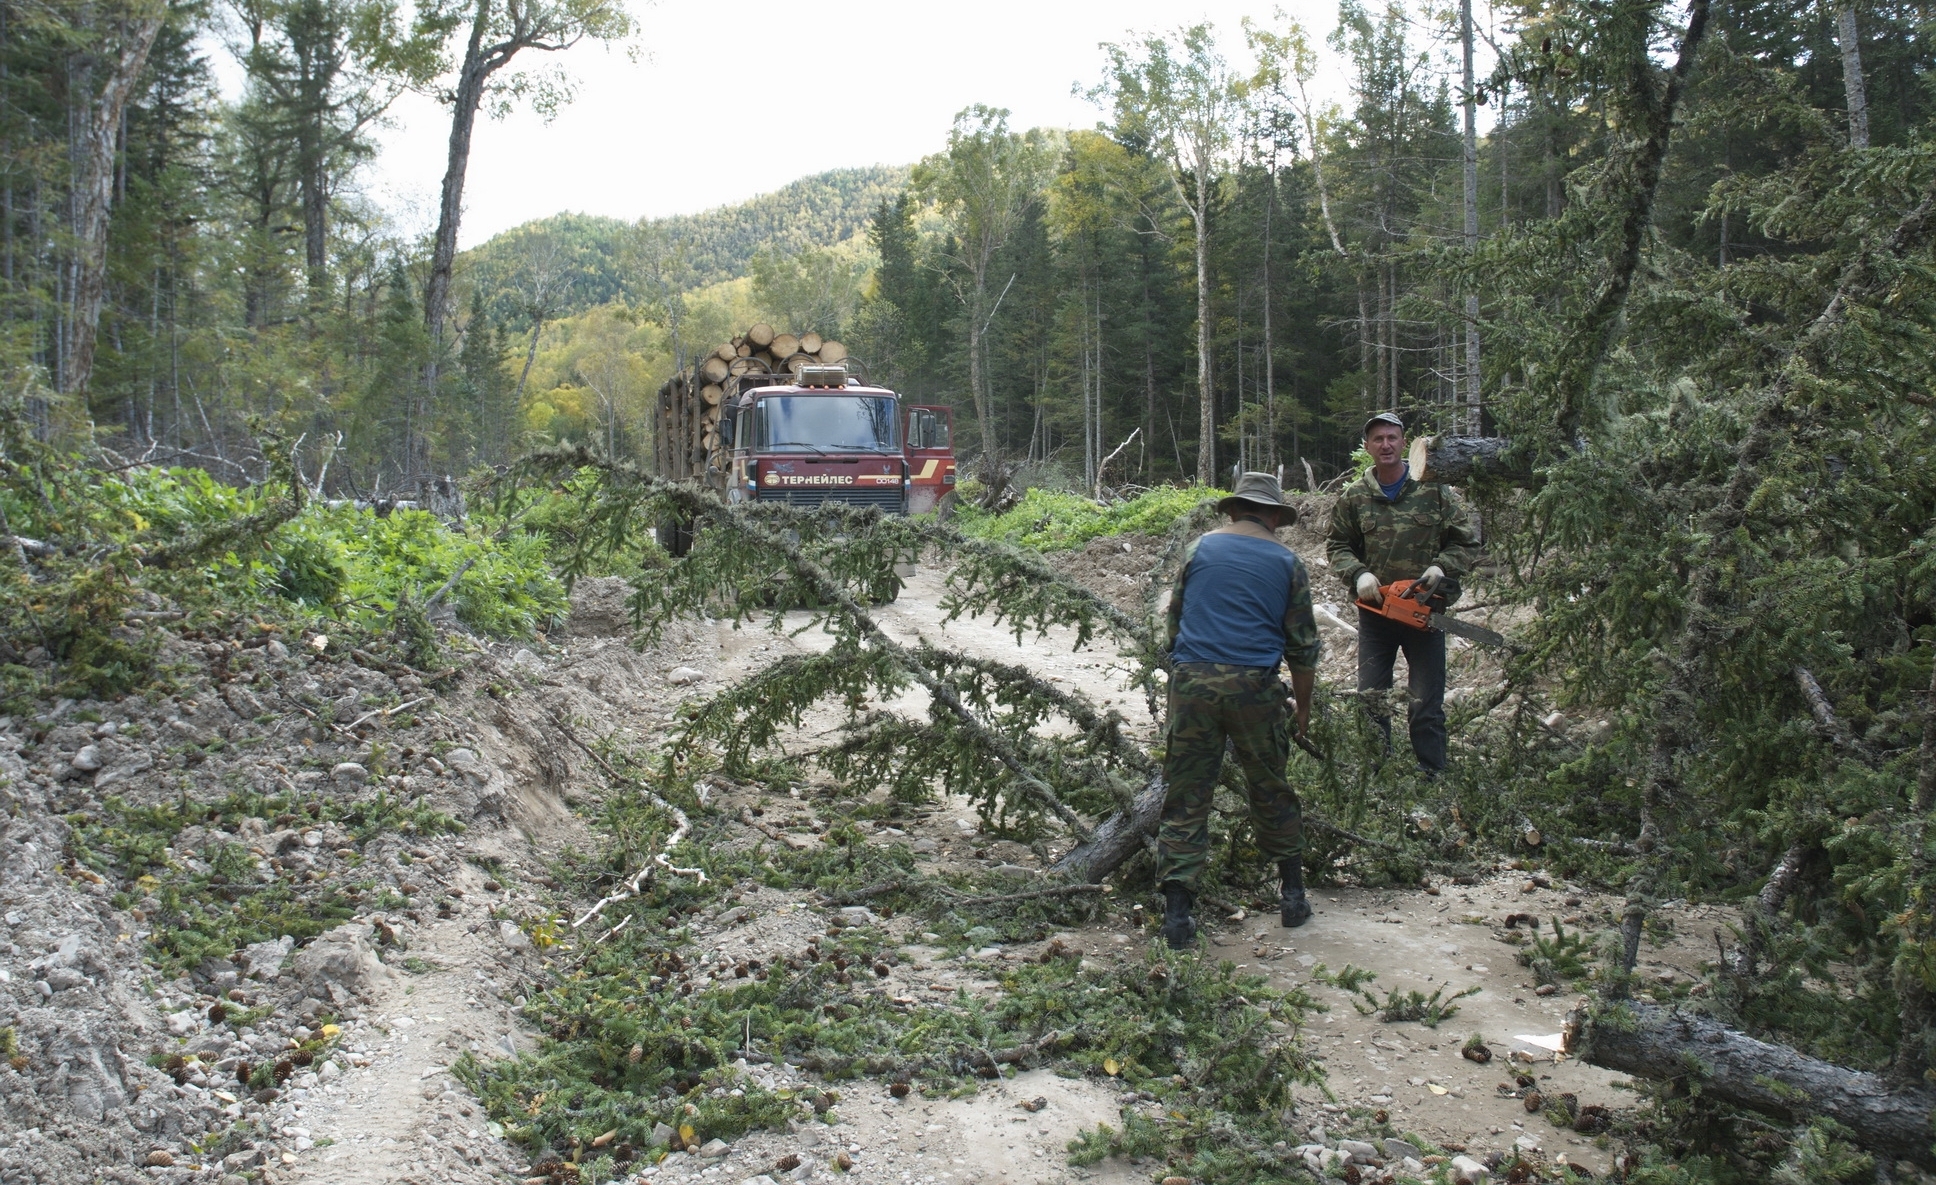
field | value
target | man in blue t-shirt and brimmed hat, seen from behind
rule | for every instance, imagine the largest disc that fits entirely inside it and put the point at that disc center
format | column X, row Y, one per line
column 1240, row 605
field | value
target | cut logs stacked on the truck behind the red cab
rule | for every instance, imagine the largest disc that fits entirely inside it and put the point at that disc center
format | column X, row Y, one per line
column 690, row 402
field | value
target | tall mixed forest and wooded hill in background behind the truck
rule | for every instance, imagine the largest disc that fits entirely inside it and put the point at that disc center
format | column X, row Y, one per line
column 1223, row 268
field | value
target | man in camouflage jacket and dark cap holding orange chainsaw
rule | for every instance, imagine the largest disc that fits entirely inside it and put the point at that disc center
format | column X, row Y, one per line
column 1391, row 528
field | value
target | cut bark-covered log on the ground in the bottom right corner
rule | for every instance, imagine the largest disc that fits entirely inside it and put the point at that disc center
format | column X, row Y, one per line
column 1654, row 1043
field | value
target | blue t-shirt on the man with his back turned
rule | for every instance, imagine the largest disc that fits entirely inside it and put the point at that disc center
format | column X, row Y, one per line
column 1236, row 593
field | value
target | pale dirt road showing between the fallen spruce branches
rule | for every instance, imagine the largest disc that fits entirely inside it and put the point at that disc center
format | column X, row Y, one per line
column 384, row 1107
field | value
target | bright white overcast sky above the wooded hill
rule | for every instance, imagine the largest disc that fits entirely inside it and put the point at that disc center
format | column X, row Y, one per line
column 737, row 100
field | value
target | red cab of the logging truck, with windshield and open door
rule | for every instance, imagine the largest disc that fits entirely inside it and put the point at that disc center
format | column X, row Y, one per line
column 828, row 439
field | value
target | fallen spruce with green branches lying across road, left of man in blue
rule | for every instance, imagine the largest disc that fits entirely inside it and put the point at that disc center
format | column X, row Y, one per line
column 1039, row 762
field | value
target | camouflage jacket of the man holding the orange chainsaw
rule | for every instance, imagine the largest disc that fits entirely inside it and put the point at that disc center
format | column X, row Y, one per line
column 1399, row 539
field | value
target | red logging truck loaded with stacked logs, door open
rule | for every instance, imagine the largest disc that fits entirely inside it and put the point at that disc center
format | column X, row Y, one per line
column 771, row 417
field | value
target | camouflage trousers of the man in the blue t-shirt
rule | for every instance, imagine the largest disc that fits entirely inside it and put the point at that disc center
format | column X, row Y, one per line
column 1211, row 704
